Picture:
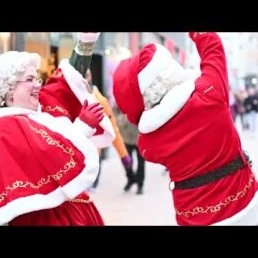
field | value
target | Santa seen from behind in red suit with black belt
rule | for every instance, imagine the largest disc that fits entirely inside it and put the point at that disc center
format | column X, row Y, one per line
column 185, row 124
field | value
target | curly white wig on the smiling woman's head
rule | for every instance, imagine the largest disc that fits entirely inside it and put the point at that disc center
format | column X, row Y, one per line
column 12, row 66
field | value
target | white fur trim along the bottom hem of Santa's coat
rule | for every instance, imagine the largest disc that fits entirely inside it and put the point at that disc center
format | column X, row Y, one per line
column 246, row 217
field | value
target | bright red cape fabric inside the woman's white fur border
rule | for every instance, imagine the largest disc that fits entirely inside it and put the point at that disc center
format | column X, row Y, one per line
column 24, row 152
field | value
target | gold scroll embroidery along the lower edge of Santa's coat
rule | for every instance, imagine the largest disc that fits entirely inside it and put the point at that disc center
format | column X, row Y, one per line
column 219, row 206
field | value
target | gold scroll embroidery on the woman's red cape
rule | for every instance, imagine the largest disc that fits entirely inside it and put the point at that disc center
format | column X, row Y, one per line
column 71, row 163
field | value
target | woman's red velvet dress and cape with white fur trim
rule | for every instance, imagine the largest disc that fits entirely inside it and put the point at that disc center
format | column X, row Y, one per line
column 47, row 163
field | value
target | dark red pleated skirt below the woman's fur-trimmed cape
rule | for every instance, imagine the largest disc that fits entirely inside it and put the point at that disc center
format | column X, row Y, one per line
column 67, row 214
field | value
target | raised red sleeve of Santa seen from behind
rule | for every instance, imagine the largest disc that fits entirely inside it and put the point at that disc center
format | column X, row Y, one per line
column 213, row 61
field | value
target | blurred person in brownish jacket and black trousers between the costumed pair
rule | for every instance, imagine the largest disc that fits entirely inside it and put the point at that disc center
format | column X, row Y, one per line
column 130, row 134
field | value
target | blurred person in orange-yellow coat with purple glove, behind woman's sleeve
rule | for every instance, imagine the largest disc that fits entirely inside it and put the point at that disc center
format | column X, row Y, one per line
column 118, row 142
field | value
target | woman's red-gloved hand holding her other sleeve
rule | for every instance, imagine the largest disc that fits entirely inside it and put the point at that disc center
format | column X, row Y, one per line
column 92, row 114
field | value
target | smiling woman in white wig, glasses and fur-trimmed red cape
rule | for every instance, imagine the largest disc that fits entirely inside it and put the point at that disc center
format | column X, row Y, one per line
column 49, row 156
